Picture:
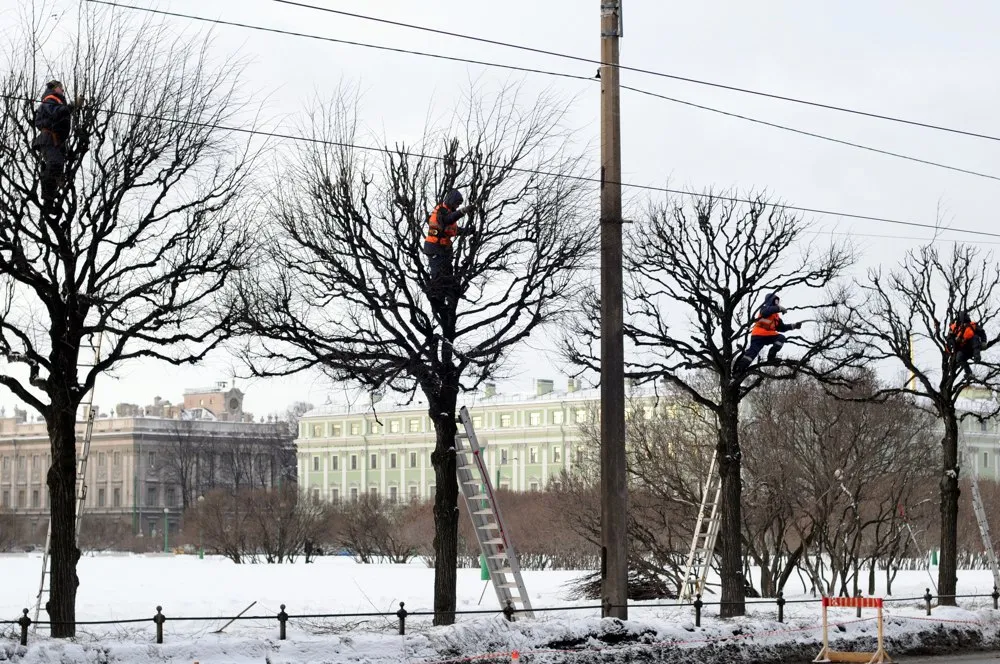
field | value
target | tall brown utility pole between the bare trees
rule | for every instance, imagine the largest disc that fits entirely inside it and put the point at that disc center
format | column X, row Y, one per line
column 614, row 492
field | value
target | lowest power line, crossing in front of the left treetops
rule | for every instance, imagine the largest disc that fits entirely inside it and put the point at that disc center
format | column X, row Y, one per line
column 578, row 178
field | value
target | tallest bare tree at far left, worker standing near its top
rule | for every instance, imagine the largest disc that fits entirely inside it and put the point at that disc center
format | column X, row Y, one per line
column 146, row 229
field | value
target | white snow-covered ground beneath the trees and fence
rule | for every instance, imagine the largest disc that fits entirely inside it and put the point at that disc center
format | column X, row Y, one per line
column 131, row 586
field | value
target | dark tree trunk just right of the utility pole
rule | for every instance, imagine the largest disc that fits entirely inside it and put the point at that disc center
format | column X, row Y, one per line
column 731, row 567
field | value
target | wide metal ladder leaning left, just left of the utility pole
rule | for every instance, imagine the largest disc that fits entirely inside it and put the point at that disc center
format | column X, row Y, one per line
column 481, row 503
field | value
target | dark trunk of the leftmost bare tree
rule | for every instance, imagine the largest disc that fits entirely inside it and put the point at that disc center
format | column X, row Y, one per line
column 64, row 553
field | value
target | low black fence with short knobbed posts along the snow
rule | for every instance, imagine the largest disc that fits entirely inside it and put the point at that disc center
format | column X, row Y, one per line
column 509, row 612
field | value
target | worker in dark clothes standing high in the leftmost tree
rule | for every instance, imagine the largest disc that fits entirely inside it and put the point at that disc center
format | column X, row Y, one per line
column 53, row 119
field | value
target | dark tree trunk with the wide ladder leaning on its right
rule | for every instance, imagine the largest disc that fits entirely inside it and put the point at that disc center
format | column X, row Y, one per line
column 442, row 413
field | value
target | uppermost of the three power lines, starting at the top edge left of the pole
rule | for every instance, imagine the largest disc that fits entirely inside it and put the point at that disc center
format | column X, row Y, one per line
column 639, row 70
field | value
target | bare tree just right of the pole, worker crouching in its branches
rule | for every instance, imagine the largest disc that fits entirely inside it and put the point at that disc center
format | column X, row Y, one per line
column 695, row 275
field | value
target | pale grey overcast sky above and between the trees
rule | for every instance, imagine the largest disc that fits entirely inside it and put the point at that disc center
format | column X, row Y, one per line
column 926, row 61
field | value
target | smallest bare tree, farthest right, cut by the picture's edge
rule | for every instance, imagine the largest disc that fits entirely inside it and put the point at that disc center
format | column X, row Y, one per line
column 907, row 314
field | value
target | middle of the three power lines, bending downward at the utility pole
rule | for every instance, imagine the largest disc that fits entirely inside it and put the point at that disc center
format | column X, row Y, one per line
column 551, row 73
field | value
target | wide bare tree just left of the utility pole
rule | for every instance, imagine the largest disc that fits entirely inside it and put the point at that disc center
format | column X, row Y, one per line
column 347, row 287
